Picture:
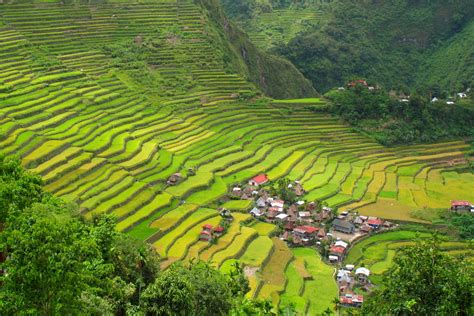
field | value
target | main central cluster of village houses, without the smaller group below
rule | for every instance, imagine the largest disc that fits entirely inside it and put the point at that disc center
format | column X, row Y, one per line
column 306, row 223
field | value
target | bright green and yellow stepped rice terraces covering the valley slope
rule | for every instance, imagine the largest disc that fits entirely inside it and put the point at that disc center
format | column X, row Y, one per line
column 131, row 108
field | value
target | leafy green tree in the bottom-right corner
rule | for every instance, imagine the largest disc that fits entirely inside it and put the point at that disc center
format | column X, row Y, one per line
column 424, row 281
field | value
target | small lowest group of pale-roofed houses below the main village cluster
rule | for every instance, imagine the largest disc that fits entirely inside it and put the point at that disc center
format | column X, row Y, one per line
column 348, row 280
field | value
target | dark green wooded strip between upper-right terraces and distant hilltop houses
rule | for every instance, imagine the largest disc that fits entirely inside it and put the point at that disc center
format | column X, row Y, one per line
column 391, row 121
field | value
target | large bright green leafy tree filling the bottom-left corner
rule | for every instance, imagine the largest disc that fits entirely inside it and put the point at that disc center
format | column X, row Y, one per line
column 51, row 261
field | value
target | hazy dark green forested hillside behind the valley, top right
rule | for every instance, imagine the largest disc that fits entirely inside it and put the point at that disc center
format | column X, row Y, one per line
column 404, row 45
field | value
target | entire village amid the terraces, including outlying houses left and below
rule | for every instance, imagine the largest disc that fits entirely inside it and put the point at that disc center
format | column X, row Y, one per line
column 307, row 224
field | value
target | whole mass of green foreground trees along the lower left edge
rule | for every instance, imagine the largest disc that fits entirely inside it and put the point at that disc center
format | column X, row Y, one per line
column 59, row 263
